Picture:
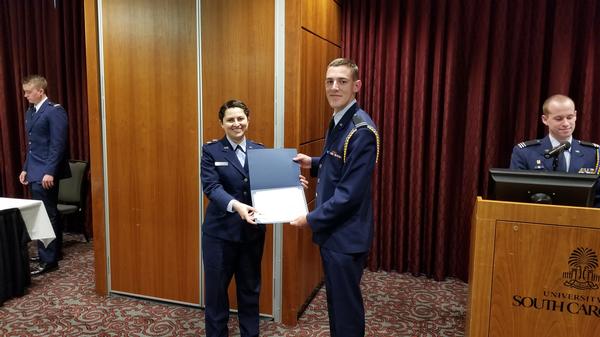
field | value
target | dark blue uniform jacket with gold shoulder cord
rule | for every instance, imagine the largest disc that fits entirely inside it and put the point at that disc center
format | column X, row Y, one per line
column 342, row 220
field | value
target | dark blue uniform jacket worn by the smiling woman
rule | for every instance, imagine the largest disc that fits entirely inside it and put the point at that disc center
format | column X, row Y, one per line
column 224, row 179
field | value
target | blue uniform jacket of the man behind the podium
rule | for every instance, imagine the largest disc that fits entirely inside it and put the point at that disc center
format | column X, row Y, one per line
column 529, row 155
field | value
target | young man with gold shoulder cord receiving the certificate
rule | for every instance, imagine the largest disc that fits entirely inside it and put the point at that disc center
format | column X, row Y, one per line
column 342, row 221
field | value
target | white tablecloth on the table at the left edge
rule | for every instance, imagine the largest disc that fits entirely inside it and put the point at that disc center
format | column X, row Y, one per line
column 35, row 216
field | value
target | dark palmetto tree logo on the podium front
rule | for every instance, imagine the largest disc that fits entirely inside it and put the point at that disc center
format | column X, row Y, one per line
column 582, row 264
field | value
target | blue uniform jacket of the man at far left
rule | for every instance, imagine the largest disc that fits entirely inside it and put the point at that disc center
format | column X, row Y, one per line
column 47, row 136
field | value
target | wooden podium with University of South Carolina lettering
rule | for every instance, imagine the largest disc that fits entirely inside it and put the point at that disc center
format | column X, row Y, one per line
column 534, row 271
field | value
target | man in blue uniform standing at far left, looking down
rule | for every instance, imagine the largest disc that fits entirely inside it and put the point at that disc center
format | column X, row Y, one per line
column 46, row 162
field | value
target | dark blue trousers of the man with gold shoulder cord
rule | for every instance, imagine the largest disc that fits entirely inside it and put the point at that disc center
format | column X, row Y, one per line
column 344, row 299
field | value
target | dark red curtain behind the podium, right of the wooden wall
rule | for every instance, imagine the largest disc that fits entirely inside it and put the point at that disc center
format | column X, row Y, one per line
column 452, row 86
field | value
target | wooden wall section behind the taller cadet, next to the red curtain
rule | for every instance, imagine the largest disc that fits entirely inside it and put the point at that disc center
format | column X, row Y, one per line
column 312, row 40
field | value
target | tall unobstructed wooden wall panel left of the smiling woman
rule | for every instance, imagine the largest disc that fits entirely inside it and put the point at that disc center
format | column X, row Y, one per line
column 152, row 147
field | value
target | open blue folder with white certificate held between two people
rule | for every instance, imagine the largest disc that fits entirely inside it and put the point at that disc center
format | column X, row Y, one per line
column 276, row 190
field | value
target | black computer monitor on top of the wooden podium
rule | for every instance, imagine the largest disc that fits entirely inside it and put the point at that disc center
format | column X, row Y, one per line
column 558, row 188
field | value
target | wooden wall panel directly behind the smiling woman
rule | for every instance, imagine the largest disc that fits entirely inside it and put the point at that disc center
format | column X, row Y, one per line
column 238, row 62
